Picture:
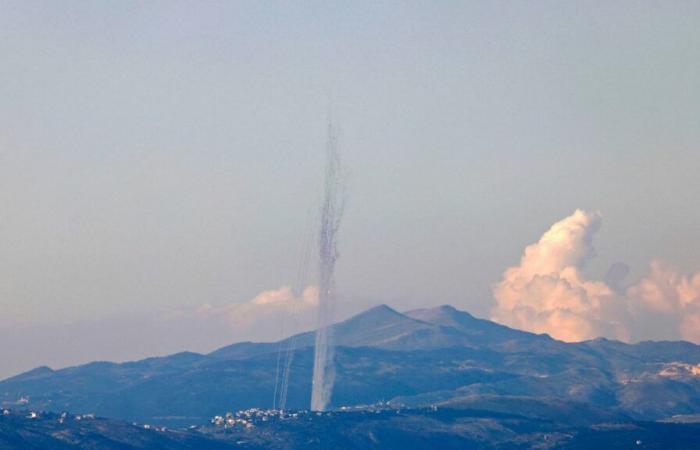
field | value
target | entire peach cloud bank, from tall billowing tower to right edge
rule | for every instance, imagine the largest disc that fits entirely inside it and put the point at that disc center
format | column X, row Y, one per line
column 547, row 292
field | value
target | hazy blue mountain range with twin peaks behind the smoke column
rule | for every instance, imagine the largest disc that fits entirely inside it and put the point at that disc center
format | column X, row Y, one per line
column 412, row 360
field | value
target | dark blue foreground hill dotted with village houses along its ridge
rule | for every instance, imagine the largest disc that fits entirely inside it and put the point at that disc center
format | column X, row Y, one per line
column 428, row 428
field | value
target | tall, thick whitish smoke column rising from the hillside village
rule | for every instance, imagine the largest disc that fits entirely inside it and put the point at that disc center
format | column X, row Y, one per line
column 331, row 213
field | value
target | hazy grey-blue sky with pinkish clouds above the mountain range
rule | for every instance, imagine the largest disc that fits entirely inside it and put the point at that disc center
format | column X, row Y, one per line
column 161, row 164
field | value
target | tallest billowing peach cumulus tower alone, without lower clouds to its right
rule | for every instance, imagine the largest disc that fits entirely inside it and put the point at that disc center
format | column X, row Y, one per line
column 546, row 292
